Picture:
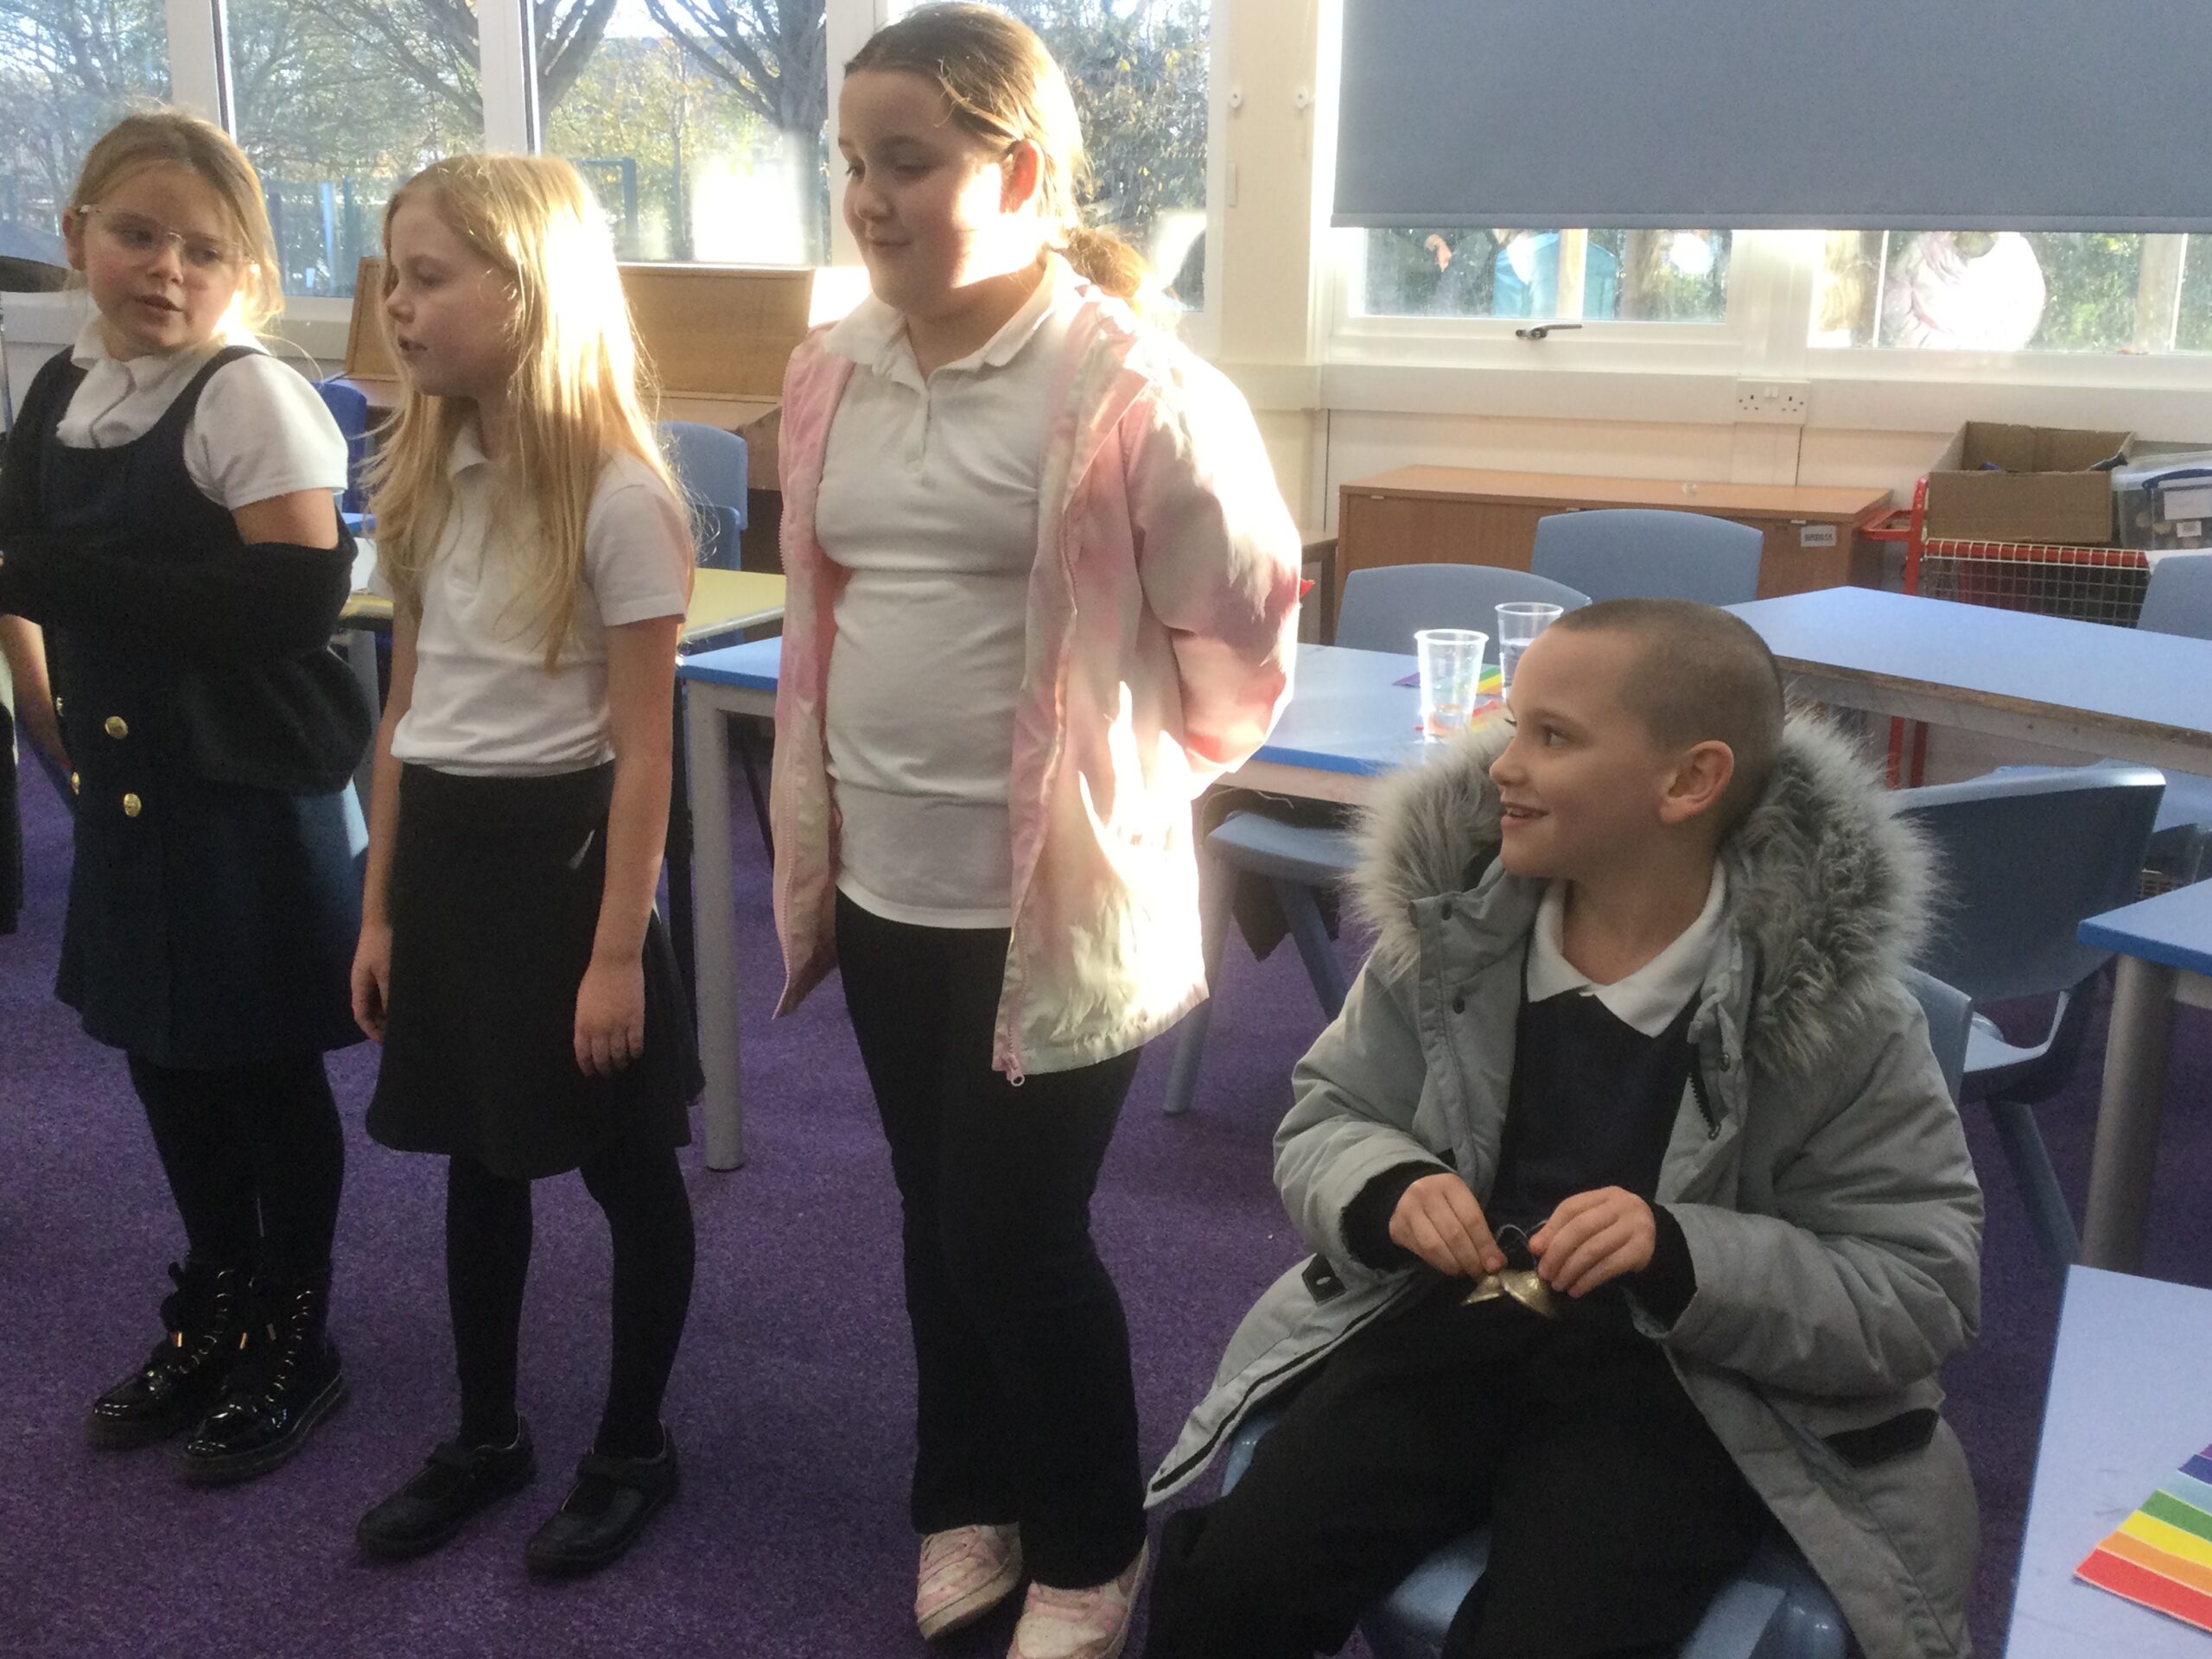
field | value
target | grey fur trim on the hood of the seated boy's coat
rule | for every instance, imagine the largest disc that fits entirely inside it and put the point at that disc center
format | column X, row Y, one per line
column 1828, row 890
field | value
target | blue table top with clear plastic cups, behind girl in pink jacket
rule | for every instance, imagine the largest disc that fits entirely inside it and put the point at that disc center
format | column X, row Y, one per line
column 1346, row 709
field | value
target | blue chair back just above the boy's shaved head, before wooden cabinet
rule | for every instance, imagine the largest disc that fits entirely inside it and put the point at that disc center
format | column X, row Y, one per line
column 1649, row 554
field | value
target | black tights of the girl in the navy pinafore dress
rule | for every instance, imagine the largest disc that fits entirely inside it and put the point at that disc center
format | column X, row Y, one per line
column 255, row 1158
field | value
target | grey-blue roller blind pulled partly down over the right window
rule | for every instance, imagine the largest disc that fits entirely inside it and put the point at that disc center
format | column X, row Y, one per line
column 1777, row 114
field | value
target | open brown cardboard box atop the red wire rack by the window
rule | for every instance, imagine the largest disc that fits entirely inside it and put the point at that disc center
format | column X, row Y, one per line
column 1999, row 483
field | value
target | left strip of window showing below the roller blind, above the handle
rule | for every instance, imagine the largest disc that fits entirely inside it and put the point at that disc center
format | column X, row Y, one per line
column 1589, row 275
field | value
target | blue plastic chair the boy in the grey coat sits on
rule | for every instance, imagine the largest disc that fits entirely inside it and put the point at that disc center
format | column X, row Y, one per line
column 1773, row 1609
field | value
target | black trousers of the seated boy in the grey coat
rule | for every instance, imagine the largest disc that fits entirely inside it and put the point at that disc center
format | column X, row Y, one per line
column 1614, row 1512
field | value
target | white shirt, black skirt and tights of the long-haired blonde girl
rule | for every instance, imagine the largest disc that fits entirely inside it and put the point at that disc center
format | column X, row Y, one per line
column 499, row 870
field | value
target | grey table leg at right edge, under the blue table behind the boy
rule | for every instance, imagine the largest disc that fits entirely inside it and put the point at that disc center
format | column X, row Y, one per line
column 2129, row 1116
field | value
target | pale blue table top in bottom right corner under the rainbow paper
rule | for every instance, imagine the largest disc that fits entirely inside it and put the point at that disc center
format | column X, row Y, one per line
column 2127, row 1408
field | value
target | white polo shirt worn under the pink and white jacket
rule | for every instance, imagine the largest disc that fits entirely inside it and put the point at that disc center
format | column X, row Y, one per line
column 930, row 505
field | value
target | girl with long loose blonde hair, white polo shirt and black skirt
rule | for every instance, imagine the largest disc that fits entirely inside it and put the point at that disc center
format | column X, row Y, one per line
column 510, row 959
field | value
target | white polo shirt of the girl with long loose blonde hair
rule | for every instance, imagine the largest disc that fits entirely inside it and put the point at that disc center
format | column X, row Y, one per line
column 483, row 698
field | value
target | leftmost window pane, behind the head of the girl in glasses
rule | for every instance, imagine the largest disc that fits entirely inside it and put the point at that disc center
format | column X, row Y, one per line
column 67, row 72
